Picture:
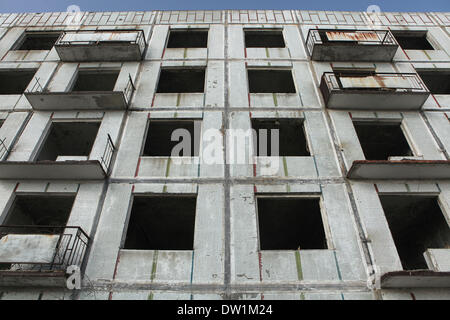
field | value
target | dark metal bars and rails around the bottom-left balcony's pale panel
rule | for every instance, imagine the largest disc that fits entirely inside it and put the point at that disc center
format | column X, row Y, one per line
column 70, row 248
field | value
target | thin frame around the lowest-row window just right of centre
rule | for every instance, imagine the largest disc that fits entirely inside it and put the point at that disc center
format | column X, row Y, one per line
column 309, row 196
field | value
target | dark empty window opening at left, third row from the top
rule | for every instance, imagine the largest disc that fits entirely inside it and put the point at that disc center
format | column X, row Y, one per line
column 69, row 139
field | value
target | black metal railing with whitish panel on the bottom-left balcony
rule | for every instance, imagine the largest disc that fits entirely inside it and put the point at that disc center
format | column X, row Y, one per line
column 54, row 248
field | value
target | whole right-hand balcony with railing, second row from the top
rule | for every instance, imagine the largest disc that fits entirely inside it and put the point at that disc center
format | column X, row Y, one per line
column 373, row 91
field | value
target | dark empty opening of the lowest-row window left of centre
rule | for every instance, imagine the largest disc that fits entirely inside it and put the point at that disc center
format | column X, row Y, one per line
column 161, row 223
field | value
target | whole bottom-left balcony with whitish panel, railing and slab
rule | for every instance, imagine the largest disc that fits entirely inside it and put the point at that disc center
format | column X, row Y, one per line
column 40, row 255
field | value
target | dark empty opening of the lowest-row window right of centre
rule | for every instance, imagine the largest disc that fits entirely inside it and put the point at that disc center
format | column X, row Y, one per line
column 290, row 224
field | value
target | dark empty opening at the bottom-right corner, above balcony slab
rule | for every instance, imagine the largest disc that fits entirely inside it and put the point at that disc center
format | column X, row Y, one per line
column 416, row 224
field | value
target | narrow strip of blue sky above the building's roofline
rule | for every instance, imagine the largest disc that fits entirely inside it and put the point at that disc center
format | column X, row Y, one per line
column 142, row 5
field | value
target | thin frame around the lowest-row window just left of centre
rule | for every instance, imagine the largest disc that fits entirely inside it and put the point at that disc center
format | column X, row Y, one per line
column 158, row 195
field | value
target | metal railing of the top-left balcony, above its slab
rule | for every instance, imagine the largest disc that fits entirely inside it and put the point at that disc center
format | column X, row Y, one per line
column 139, row 40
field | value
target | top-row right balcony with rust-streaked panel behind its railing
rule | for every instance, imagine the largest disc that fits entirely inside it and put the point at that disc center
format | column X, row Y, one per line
column 351, row 45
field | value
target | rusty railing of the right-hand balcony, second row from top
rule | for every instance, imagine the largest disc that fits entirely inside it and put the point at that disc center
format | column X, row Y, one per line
column 333, row 81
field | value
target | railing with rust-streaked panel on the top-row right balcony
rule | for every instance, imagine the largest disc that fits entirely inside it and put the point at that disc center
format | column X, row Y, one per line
column 315, row 36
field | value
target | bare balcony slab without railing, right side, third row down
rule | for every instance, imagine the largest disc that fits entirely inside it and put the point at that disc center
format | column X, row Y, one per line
column 399, row 170
